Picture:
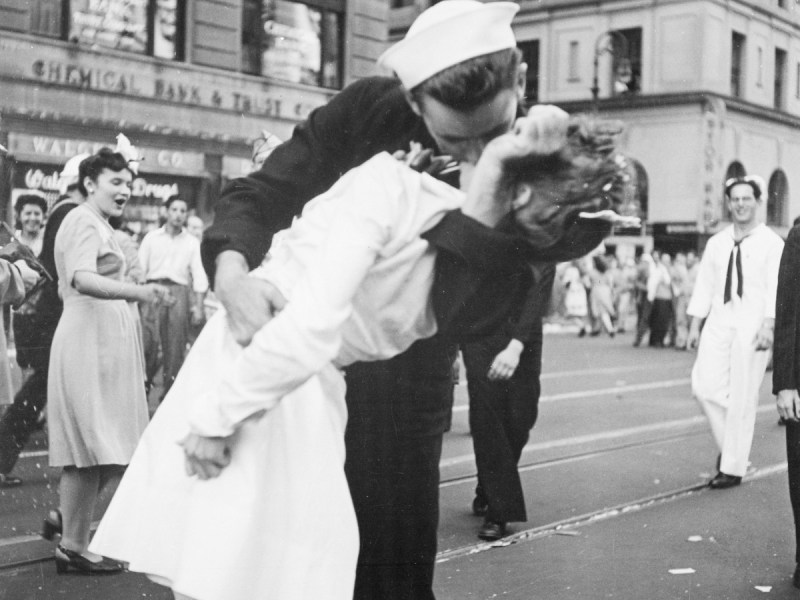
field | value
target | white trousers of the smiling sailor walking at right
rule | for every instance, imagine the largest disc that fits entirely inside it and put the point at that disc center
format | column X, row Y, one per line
column 726, row 378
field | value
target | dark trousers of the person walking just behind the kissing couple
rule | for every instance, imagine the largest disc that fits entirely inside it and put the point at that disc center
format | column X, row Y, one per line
column 501, row 415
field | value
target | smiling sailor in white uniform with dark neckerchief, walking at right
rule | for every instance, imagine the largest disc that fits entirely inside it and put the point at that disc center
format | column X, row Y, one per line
column 735, row 292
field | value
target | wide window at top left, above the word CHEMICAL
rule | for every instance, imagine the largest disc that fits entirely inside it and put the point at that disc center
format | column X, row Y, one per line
column 151, row 27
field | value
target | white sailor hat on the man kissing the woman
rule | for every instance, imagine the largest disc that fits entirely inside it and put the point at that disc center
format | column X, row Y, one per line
column 448, row 33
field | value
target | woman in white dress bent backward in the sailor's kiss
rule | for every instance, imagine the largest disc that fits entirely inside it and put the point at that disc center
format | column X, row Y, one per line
column 269, row 514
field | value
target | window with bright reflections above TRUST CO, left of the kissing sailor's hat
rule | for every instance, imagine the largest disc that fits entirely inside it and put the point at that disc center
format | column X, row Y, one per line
column 300, row 42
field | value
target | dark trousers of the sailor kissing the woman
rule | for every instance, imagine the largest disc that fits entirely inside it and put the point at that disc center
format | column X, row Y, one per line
column 397, row 413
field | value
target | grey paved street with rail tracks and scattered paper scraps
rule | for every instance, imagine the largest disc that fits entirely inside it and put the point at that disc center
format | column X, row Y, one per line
column 613, row 476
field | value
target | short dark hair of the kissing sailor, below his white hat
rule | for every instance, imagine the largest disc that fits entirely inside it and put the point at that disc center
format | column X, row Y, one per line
column 472, row 82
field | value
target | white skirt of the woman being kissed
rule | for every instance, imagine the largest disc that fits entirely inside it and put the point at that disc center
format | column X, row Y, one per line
column 277, row 523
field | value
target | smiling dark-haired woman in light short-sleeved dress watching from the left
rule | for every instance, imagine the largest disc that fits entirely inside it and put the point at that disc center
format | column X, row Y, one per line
column 96, row 408
